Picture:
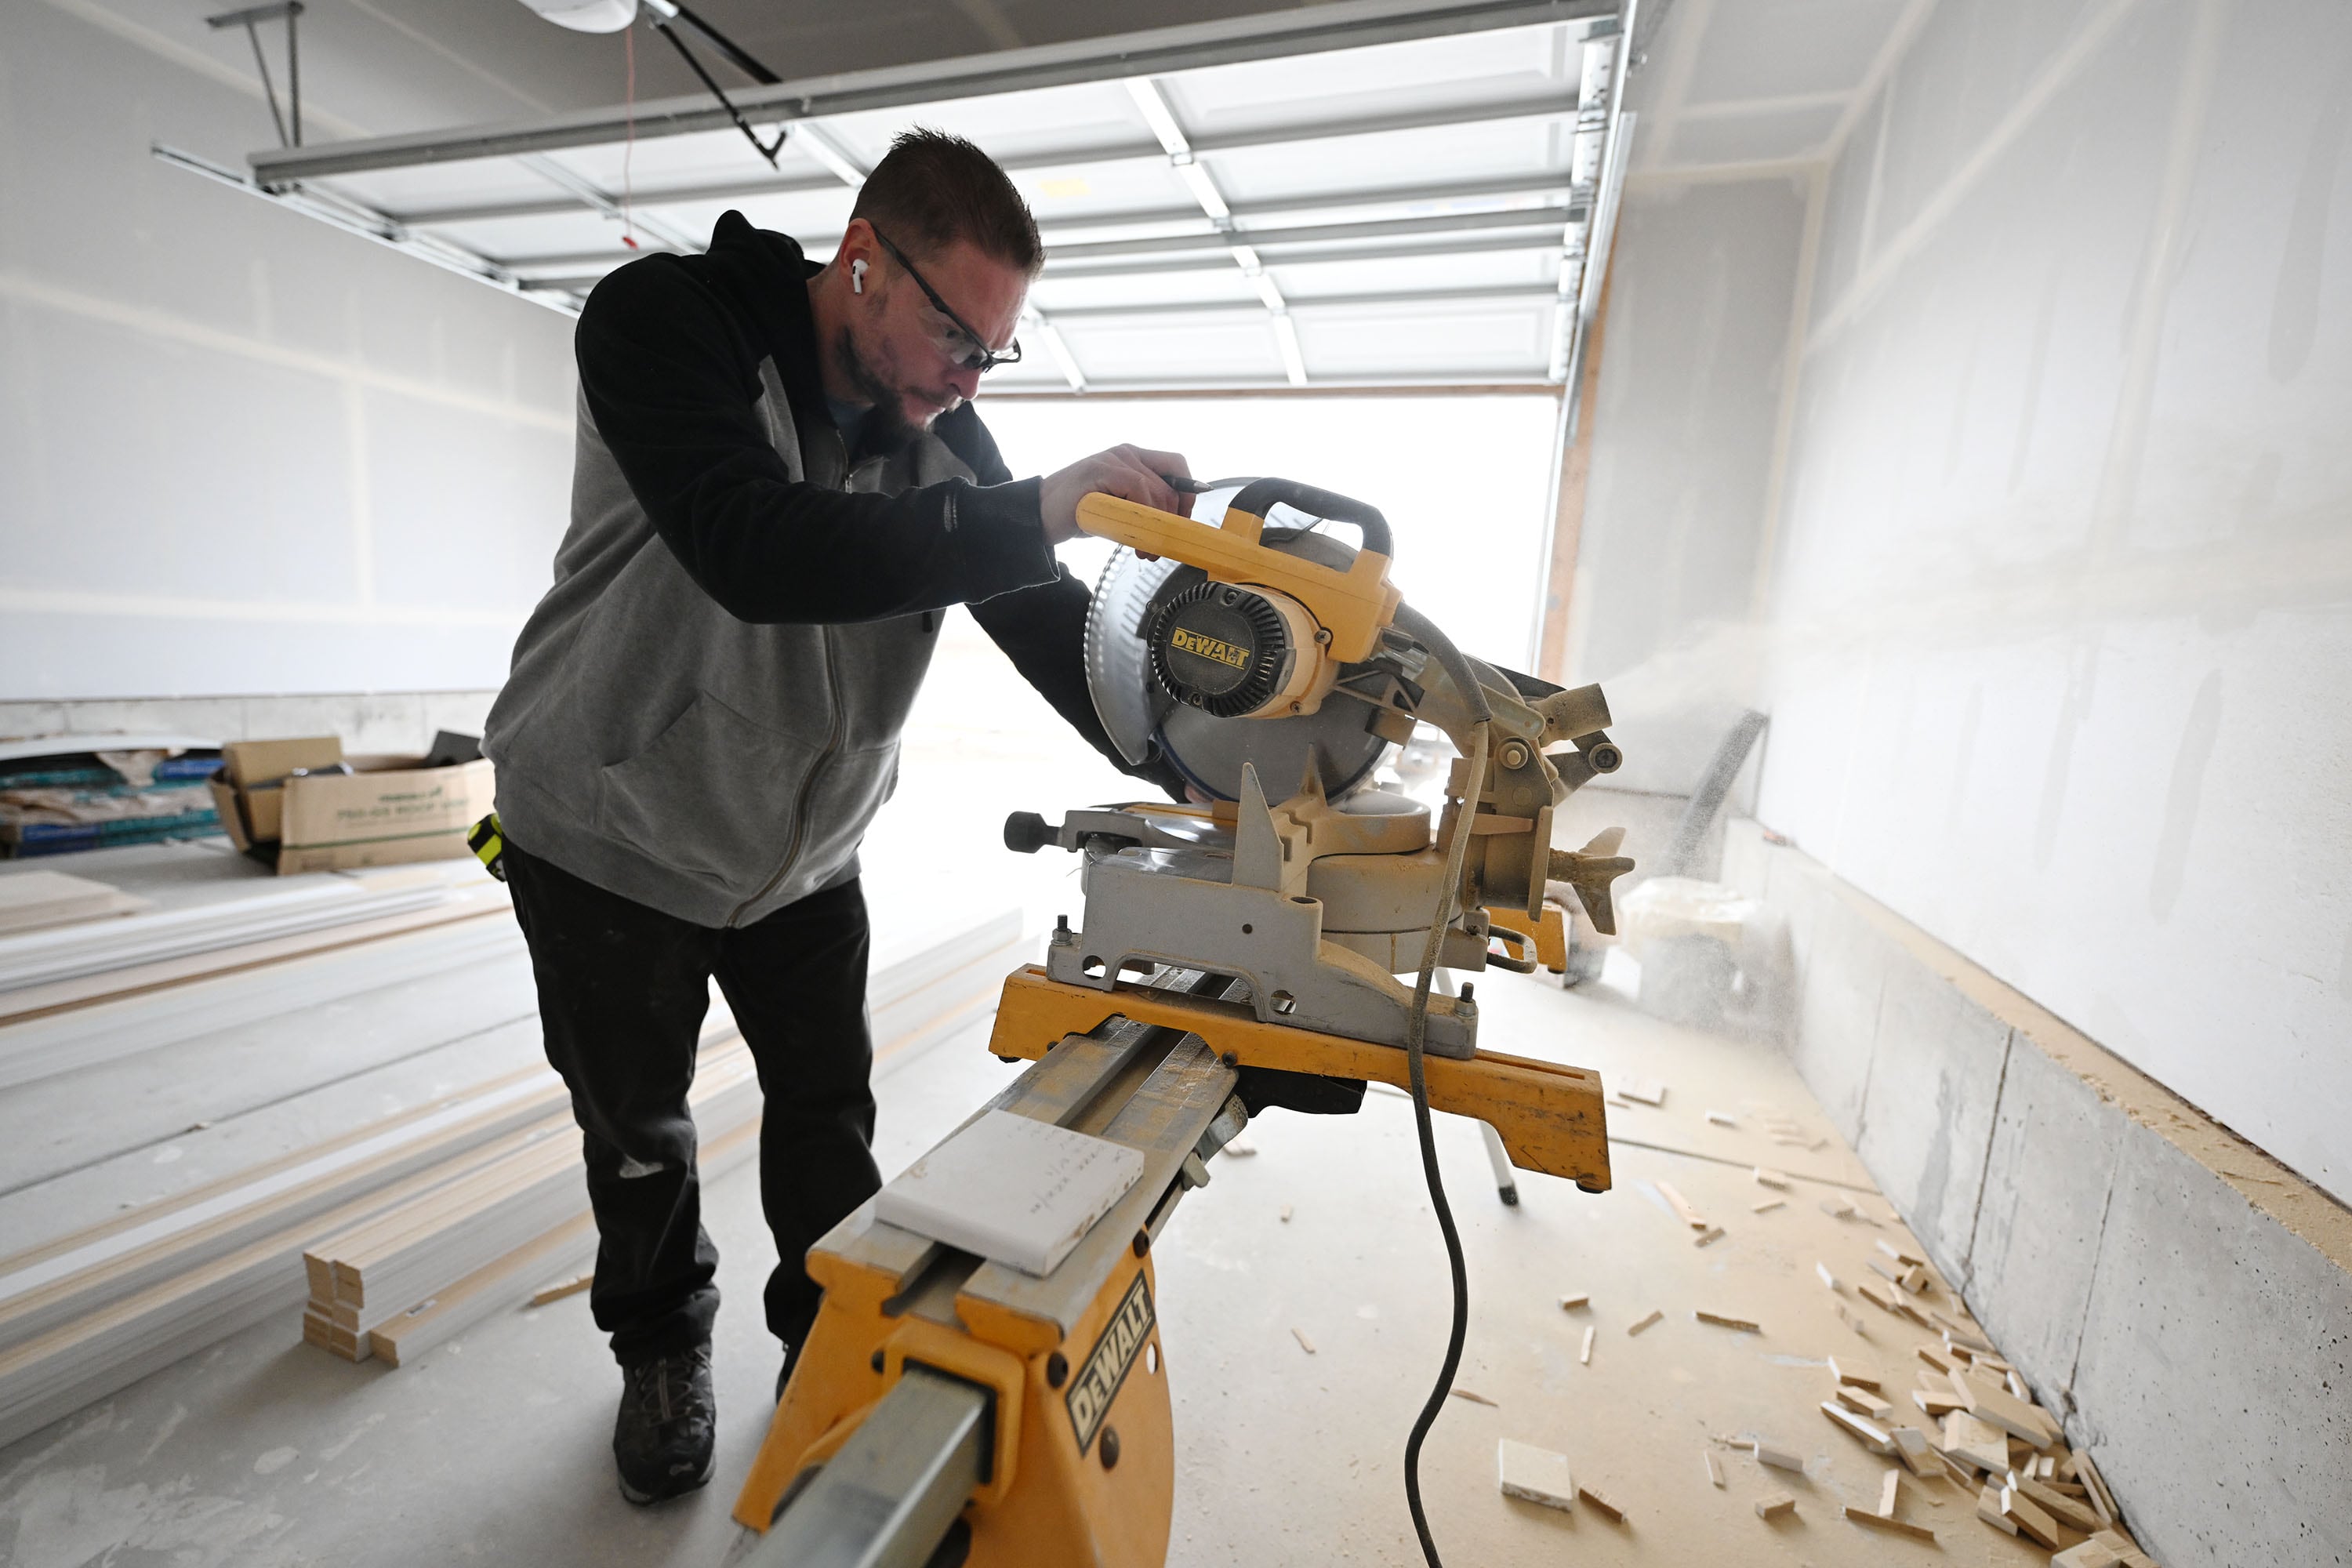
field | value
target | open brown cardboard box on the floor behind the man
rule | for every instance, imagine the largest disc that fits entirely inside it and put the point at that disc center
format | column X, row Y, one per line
column 385, row 812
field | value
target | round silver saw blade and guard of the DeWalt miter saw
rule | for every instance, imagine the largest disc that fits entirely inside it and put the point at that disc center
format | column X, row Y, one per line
column 1210, row 751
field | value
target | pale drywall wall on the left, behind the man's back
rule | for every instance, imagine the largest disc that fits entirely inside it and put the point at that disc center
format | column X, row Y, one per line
column 239, row 450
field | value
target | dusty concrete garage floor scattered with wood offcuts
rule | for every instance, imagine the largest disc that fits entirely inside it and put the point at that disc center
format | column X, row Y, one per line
column 495, row 1449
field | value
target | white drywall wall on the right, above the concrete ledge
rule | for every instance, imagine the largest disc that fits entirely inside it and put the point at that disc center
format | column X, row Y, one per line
column 2062, row 594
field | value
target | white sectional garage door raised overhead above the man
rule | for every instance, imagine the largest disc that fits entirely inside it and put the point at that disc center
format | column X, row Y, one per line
column 1363, row 194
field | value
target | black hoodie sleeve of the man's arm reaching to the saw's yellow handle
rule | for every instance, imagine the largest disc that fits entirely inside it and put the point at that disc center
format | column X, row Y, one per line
column 671, row 387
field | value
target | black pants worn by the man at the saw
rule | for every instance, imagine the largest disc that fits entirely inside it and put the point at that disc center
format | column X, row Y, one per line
column 622, row 1000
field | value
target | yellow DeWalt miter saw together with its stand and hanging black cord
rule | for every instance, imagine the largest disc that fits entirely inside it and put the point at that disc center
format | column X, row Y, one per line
column 949, row 1409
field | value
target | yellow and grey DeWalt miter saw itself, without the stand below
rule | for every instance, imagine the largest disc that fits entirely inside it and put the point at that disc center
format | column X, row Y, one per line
column 1276, row 659
